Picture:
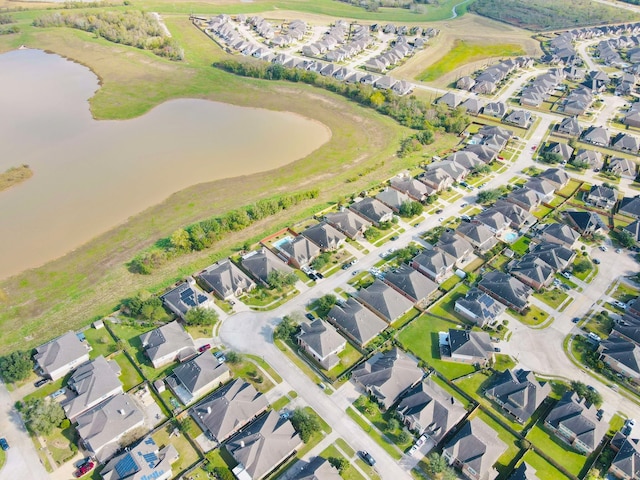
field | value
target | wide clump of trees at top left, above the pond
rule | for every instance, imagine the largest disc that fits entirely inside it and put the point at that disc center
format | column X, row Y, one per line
column 130, row 27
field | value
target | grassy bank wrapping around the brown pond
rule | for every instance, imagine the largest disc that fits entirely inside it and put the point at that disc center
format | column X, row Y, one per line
column 89, row 282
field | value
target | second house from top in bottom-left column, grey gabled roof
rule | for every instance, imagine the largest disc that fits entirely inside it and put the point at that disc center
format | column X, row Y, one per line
column 91, row 383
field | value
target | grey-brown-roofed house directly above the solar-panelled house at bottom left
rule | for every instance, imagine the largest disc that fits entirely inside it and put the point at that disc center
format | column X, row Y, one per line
column 101, row 427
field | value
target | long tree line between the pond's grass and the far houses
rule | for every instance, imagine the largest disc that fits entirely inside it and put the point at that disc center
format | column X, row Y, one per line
column 406, row 110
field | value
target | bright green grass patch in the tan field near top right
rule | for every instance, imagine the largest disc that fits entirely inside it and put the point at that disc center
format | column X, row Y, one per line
column 464, row 52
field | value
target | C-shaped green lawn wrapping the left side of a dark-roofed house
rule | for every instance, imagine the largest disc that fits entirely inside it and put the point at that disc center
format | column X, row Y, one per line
column 421, row 338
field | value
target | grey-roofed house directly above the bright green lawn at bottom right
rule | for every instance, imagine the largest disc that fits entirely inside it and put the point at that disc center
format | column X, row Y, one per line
column 575, row 421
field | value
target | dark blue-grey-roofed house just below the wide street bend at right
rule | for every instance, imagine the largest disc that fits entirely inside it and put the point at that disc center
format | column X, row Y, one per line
column 518, row 393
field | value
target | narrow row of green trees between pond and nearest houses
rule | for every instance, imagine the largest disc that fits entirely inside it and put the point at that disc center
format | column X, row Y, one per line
column 201, row 235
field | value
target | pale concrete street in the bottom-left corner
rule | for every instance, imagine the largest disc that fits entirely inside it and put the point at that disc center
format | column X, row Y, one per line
column 22, row 459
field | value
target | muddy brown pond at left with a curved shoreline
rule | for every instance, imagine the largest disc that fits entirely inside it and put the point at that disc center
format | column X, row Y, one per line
column 90, row 176
